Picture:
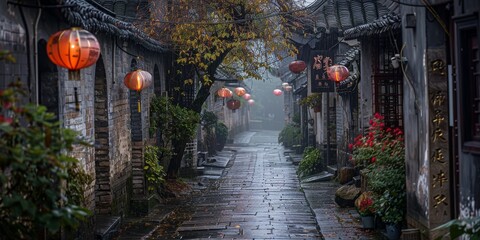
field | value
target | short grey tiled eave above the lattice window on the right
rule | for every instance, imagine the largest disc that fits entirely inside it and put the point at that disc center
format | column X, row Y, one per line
column 383, row 24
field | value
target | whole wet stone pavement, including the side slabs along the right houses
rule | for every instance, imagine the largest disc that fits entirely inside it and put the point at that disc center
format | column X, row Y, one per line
column 257, row 196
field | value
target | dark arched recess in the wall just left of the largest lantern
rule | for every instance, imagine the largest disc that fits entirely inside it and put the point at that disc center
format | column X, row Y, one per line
column 47, row 80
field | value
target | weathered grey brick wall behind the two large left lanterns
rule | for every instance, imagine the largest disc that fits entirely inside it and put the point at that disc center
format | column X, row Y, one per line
column 115, row 159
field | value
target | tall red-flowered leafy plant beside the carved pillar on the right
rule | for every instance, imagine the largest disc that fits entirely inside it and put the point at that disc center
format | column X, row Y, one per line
column 381, row 153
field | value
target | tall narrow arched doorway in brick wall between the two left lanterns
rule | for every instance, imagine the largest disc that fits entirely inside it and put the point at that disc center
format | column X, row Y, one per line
column 103, row 195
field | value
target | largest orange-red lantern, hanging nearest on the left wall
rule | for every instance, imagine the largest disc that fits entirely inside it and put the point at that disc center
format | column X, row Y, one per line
column 73, row 49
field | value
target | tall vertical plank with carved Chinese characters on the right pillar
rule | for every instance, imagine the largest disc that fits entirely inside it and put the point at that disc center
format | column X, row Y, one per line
column 440, row 199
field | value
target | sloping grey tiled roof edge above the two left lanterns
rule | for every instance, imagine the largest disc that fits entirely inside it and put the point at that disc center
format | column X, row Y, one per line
column 84, row 15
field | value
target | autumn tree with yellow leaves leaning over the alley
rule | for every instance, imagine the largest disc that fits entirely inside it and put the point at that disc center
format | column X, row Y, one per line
column 240, row 37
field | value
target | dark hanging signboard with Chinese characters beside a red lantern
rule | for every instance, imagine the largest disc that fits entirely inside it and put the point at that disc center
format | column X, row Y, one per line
column 319, row 63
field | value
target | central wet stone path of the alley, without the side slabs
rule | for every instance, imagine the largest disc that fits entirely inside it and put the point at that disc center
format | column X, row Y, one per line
column 258, row 197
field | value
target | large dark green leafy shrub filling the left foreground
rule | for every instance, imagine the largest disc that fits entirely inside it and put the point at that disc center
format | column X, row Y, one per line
column 41, row 185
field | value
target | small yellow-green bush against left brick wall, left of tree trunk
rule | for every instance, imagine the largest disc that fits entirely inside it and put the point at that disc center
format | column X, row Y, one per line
column 154, row 172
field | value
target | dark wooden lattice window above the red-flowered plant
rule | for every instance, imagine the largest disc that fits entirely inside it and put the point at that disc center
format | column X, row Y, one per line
column 387, row 82
